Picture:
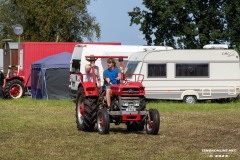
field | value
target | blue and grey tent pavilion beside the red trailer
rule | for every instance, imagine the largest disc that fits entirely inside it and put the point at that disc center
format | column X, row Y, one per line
column 50, row 77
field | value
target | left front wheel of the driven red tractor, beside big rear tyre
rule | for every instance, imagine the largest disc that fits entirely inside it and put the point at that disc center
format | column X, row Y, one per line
column 103, row 121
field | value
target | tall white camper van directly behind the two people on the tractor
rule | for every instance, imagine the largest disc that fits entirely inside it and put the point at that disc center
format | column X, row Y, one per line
column 78, row 61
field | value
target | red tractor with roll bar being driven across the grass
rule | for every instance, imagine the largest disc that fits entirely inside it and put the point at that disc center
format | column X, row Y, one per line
column 128, row 104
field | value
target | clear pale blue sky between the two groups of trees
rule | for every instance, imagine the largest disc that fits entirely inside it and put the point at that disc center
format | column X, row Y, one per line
column 112, row 15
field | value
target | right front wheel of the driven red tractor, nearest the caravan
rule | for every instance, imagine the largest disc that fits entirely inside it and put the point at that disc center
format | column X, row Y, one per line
column 153, row 122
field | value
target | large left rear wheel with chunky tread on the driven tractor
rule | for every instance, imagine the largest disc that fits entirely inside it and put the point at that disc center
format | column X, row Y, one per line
column 86, row 111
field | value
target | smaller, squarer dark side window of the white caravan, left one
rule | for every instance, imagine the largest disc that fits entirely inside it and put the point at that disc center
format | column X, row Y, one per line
column 156, row 70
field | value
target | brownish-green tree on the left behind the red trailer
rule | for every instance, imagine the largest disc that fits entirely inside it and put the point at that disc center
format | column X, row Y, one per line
column 48, row 20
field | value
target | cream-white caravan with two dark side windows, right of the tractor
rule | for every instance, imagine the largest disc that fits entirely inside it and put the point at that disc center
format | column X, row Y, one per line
column 188, row 75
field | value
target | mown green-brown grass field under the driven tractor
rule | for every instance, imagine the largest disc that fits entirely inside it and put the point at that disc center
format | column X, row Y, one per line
column 38, row 129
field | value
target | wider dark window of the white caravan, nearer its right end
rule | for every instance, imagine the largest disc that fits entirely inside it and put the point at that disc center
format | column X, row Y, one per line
column 192, row 70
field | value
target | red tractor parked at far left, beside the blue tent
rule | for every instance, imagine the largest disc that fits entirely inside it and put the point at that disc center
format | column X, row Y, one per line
column 14, row 83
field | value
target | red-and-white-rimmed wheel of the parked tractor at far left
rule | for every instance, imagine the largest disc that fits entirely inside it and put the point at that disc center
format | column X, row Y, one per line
column 14, row 89
